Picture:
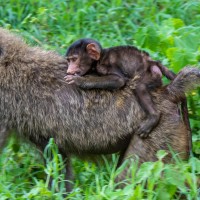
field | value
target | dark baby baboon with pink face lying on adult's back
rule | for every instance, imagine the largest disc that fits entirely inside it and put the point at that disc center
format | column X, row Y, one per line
column 117, row 65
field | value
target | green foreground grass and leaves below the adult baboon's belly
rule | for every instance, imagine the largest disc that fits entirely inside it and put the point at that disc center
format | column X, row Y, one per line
column 24, row 176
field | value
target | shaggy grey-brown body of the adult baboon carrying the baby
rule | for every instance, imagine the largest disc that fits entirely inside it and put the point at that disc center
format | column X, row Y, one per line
column 38, row 104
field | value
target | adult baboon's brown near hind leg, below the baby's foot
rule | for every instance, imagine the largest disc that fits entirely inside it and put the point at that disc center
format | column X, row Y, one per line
column 167, row 136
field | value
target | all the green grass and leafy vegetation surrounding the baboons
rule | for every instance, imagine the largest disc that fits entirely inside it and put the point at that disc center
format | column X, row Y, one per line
column 168, row 30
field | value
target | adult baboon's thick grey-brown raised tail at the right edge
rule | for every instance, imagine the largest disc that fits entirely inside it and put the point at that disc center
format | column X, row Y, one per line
column 186, row 80
